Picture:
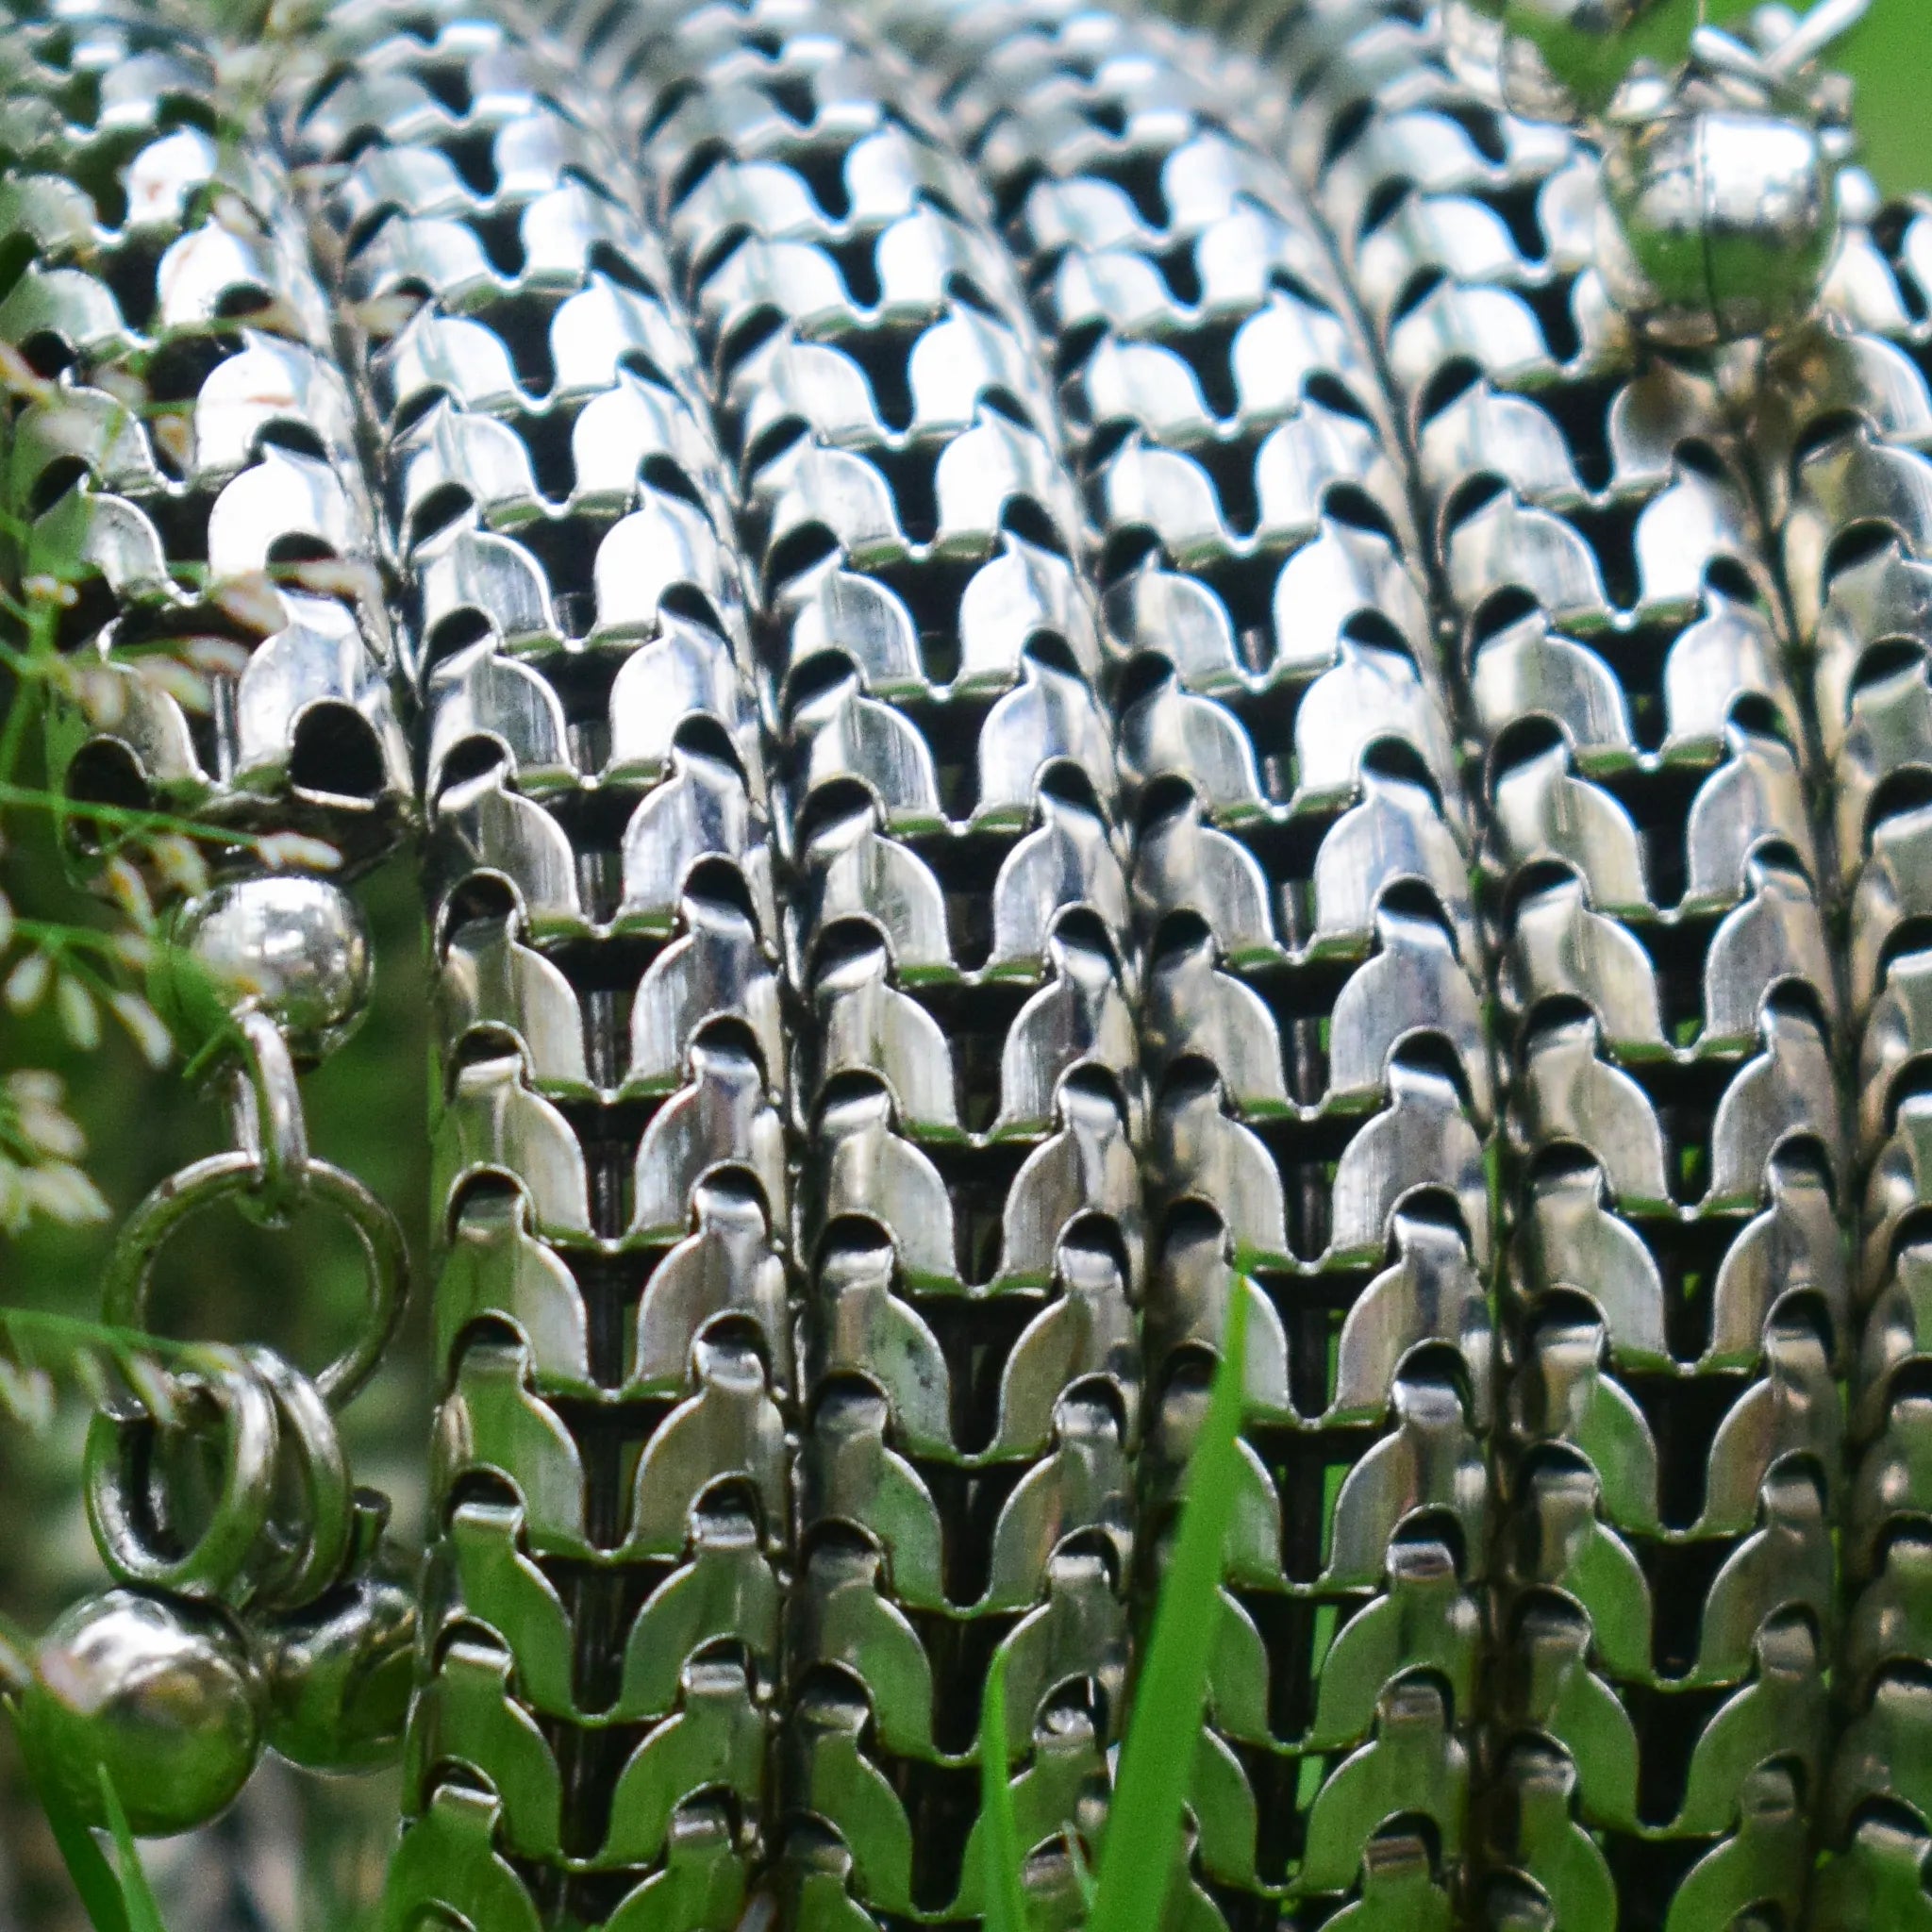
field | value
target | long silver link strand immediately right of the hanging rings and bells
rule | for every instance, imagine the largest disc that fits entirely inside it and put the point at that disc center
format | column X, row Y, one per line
column 610, row 1473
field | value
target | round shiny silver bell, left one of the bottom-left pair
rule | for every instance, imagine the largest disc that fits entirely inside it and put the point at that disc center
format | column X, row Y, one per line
column 157, row 1691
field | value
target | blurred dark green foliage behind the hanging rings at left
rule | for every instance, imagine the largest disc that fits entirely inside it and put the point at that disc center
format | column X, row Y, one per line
column 221, row 1280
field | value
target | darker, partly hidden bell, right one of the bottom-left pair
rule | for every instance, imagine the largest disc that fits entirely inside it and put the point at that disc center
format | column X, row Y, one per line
column 339, row 1670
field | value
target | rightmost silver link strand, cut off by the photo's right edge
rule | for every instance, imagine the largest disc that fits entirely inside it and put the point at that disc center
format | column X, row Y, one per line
column 1844, row 418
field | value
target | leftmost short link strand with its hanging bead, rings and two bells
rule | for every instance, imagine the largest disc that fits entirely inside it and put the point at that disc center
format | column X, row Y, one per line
column 183, row 486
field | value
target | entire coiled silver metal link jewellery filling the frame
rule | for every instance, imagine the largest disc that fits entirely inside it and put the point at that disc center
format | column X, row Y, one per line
column 1058, row 671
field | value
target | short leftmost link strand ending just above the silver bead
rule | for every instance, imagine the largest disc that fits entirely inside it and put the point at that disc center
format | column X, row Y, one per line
column 183, row 451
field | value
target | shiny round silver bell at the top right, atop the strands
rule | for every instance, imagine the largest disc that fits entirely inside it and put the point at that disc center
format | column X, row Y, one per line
column 1717, row 225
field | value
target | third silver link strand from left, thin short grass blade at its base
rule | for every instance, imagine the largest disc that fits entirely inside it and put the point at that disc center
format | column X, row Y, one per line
column 967, row 1079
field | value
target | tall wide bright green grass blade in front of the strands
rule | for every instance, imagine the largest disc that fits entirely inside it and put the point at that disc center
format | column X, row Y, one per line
column 1137, row 1861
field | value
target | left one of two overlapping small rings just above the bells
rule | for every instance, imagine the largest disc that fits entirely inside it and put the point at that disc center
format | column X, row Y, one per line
column 213, row 1564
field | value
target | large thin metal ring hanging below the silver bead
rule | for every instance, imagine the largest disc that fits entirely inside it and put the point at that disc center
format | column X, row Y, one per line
column 223, row 1176
